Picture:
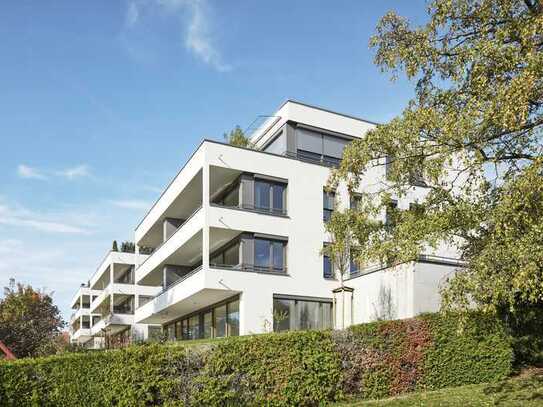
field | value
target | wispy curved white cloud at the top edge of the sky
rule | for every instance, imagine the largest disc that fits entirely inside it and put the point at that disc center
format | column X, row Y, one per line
column 197, row 30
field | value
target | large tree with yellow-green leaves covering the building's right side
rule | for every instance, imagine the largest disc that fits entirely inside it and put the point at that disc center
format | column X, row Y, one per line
column 473, row 133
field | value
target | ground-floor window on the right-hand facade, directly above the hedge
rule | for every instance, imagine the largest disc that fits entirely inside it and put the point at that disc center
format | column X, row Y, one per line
column 292, row 313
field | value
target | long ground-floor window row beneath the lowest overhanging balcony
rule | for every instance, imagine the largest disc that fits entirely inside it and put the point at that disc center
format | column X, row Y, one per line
column 217, row 321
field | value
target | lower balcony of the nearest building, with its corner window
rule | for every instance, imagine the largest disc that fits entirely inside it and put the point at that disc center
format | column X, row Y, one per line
column 239, row 256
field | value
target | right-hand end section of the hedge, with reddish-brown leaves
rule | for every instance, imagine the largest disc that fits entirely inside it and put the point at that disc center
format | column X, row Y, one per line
column 430, row 352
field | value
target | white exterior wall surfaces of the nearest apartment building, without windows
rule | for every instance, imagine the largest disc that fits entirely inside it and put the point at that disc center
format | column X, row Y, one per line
column 383, row 294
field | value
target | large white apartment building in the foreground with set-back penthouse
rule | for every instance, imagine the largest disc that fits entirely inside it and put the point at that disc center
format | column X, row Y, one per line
column 238, row 234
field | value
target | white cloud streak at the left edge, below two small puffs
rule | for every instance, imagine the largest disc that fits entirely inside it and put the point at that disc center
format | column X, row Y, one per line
column 24, row 218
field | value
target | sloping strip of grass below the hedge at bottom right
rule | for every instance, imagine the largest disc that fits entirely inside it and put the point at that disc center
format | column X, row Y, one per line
column 523, row 390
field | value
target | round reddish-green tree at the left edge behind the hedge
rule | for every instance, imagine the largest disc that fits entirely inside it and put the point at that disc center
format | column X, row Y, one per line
column 30, row 324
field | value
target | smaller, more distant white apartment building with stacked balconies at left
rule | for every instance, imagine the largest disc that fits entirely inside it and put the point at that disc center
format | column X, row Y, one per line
column 105, row 306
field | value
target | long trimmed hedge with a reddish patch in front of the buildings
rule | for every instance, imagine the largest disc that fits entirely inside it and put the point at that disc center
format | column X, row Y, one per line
column 297, row 368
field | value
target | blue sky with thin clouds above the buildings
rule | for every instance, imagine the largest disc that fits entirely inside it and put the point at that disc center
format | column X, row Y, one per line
column 102, row 102
